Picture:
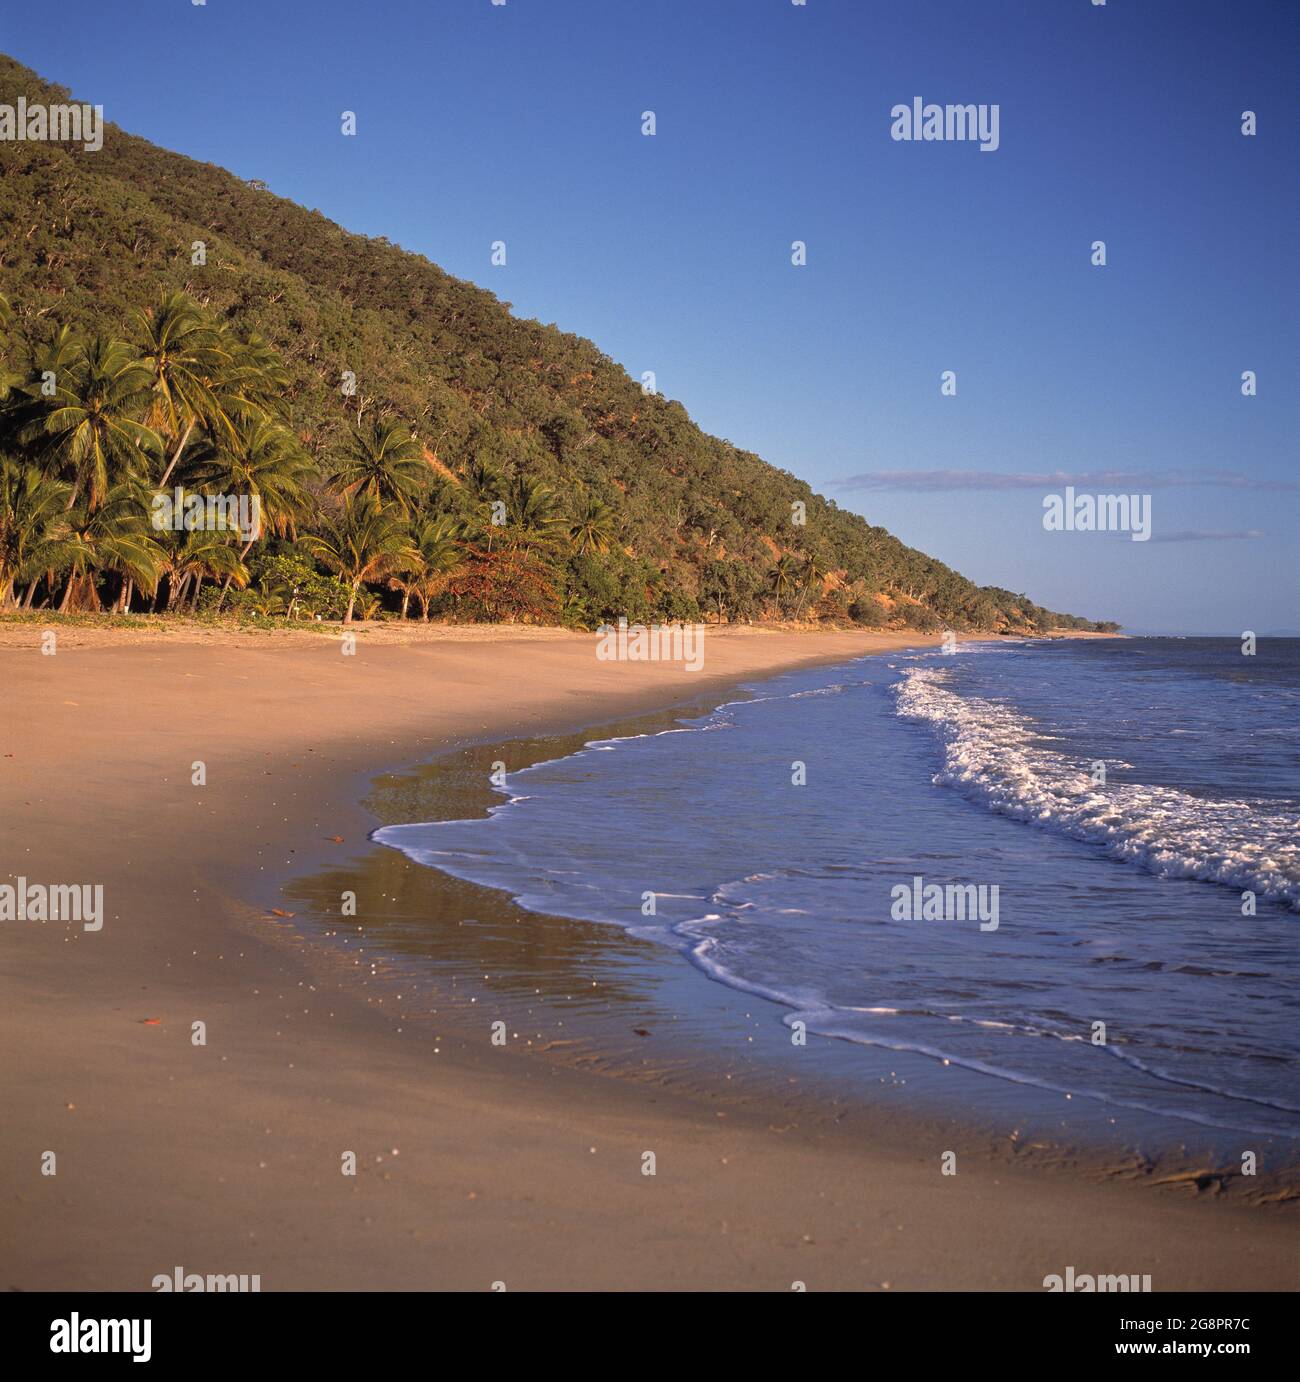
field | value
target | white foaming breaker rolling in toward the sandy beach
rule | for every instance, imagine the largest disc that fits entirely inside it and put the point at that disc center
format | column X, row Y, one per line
column 988, row 758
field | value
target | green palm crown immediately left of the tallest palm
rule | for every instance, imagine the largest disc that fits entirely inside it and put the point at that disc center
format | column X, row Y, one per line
column 93, row 429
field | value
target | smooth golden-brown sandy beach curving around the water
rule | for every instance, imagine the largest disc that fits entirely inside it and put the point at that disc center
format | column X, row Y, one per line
column 475, row 1166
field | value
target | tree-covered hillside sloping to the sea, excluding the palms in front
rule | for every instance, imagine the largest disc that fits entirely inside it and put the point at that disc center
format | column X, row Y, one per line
column 660, row 519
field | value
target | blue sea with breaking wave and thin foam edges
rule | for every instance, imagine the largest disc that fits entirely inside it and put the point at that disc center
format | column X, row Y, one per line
column 1103, row 837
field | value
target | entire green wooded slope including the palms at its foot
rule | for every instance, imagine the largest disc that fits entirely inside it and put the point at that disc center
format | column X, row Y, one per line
column 412, row 447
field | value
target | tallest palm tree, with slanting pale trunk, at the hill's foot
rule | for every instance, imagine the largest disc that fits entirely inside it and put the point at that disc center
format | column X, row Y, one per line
column 186, row 356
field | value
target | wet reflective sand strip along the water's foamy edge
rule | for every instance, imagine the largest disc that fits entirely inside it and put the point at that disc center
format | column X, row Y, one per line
column 669, row 1023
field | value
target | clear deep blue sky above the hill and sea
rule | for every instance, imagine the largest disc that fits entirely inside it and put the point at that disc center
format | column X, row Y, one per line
column 1120, row 122
